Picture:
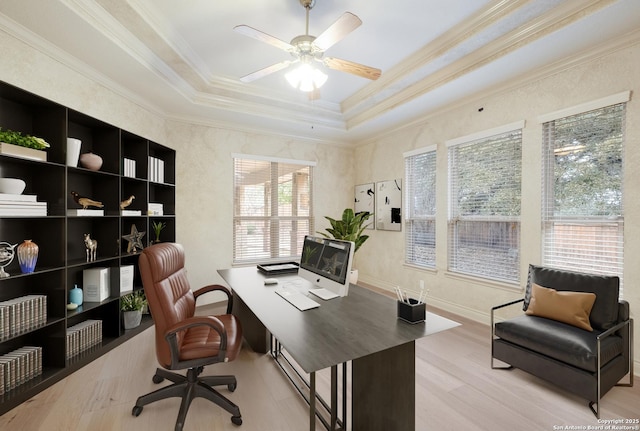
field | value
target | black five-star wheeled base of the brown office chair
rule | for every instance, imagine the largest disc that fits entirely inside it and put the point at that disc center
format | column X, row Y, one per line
column 189, row 387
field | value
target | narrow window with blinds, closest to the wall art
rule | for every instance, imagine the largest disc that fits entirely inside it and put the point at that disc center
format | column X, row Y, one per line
column 420, row 203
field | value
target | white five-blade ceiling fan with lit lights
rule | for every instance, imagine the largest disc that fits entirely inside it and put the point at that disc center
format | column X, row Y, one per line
column 308, row 50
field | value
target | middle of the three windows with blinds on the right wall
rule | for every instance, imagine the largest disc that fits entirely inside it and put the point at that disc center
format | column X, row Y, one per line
column 485, row 193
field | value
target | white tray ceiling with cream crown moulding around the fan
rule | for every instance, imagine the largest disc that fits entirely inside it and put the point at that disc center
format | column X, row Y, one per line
column 183, row 60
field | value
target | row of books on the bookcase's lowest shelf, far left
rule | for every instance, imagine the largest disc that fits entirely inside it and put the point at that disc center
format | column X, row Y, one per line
column 19, row 366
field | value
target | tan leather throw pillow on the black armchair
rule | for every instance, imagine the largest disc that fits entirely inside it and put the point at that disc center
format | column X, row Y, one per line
column 568, row 307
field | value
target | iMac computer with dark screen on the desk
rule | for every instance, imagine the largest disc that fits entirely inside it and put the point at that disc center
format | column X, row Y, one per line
column 326, row 263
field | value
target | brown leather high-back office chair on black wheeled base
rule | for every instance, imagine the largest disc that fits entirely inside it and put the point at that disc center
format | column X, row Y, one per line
column 185, row 341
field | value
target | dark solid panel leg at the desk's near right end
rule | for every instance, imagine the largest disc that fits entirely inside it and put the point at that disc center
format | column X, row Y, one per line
column 384, row 393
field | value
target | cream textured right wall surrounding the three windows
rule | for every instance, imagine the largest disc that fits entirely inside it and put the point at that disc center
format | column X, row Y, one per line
column 381, row 260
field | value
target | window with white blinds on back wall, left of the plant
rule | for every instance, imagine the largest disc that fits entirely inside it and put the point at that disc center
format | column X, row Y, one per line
column 273, row 208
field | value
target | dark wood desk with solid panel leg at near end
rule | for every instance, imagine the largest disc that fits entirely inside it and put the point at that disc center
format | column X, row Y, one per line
column 362, row 328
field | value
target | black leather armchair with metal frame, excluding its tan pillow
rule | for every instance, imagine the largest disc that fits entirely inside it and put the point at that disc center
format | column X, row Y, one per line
column 586, row 363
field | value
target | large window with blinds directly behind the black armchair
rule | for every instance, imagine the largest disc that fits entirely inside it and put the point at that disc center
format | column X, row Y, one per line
column 582, row 204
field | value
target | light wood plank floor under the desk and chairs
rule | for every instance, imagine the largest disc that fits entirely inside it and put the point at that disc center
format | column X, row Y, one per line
column 455, row 390
